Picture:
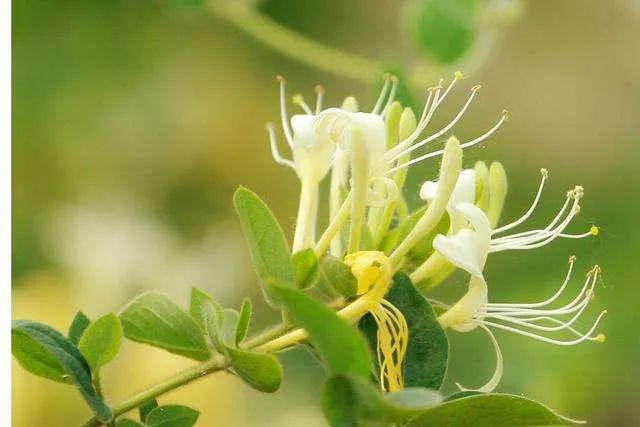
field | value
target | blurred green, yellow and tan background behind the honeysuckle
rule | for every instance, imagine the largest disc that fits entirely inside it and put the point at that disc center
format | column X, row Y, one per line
column 133, row 123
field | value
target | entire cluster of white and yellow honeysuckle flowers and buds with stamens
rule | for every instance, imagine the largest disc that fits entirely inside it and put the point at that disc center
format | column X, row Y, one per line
column 366, row 156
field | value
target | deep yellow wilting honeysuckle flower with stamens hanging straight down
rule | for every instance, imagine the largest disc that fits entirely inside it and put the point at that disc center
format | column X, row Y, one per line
column 373, row 271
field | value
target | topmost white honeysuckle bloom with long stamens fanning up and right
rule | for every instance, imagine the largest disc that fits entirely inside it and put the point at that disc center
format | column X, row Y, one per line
column 324, row 138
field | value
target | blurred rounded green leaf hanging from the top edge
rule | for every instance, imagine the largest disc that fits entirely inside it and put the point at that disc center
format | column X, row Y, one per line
column 443, row 29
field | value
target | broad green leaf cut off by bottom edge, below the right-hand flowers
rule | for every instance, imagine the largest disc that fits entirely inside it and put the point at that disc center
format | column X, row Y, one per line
column 490, row 410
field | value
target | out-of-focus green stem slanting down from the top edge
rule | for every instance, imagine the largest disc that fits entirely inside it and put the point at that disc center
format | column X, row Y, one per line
column 293, row 44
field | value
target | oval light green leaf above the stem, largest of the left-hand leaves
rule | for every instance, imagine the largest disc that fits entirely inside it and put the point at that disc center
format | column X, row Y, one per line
column 154, row 319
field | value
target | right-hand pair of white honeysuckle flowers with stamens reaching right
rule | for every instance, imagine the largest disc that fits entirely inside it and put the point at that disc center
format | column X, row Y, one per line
column 468, row 249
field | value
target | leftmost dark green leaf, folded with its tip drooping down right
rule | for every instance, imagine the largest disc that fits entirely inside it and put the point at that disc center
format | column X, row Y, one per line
column 44, row 351
